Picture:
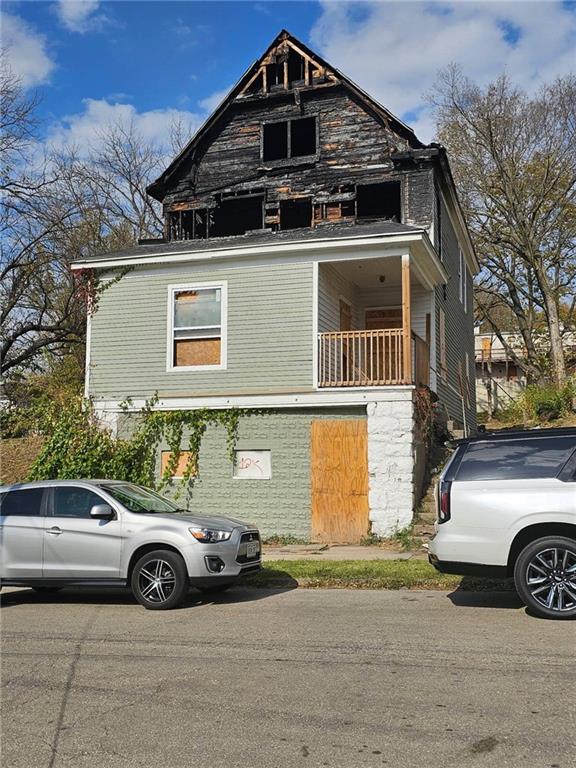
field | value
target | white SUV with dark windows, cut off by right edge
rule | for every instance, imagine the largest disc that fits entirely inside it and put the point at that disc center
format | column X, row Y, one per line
column 506, row 506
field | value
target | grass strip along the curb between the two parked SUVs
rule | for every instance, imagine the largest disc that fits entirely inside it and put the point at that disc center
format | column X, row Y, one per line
column 366, row 574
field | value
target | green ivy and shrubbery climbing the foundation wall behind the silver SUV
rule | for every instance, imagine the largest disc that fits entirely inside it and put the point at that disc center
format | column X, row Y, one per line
column 78, row 445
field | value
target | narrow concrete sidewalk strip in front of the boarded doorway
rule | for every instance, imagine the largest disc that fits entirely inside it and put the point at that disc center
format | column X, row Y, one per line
column 337, row 552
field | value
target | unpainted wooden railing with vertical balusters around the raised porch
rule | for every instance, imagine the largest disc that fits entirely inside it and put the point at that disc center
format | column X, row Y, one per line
column 369, row 358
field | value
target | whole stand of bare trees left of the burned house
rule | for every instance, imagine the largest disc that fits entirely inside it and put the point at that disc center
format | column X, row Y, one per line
column 58, row 206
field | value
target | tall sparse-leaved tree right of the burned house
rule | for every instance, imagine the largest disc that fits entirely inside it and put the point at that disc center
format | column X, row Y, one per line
column 514, row 161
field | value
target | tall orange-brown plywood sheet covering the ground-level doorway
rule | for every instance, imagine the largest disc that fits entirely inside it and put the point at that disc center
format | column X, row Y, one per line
column 339, row 480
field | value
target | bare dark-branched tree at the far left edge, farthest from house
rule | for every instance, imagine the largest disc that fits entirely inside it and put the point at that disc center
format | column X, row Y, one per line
column 38, row 309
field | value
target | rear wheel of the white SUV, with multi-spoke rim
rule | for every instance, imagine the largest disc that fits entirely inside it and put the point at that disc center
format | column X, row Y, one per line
column 545, row 577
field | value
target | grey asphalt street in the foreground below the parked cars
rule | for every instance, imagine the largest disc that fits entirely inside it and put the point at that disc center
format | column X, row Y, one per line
column 306, row 678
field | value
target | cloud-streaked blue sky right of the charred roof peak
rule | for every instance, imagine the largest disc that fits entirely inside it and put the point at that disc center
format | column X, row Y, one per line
column 394, row 50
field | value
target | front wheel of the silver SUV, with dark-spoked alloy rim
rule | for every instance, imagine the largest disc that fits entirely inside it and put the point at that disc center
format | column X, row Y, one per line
column 159, row 580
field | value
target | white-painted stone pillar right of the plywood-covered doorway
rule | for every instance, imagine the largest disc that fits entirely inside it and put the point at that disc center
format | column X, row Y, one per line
column 391, row 463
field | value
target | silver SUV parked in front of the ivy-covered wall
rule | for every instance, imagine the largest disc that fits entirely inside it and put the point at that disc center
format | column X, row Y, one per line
column 63, row 533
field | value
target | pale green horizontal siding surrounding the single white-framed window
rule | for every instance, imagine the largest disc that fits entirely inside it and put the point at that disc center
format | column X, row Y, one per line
column 269, row 329
